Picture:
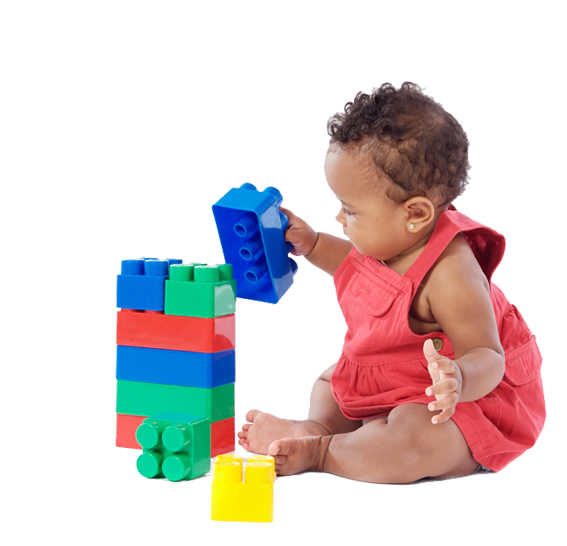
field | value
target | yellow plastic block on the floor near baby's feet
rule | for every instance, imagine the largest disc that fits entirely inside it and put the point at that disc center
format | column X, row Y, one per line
column 249, row 500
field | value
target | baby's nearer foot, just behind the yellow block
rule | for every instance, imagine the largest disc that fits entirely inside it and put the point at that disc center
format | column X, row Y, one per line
column 293, row 455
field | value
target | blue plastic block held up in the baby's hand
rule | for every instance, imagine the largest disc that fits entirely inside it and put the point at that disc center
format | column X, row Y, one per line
column 251, row 231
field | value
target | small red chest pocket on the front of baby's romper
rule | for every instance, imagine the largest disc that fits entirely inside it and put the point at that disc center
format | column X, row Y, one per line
column 370, row 293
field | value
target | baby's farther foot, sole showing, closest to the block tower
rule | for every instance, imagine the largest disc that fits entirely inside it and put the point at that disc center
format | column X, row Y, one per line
column 265, row 428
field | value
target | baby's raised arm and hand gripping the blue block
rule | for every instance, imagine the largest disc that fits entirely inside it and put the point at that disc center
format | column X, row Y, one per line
column 321, row 249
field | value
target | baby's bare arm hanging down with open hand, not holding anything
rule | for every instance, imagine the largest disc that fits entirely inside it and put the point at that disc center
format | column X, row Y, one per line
column 460, row 302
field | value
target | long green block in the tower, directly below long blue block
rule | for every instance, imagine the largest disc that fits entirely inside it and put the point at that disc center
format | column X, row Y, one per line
column 136, row 398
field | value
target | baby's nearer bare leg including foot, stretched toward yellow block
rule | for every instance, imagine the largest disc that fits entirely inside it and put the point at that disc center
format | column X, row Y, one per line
column 402, row 449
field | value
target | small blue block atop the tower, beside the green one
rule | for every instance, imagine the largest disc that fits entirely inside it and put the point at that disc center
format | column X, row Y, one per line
column 141, row 284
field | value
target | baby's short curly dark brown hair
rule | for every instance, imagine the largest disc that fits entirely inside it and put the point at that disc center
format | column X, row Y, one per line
column 421, row 147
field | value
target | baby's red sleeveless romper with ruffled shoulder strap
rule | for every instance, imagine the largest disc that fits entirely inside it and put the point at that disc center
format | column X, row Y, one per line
column 383, row 366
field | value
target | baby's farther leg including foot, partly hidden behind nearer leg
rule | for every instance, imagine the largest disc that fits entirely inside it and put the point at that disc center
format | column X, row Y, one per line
column 325, row 418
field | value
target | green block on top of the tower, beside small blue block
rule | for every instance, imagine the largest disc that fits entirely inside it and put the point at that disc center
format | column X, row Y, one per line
column 200, row 291
